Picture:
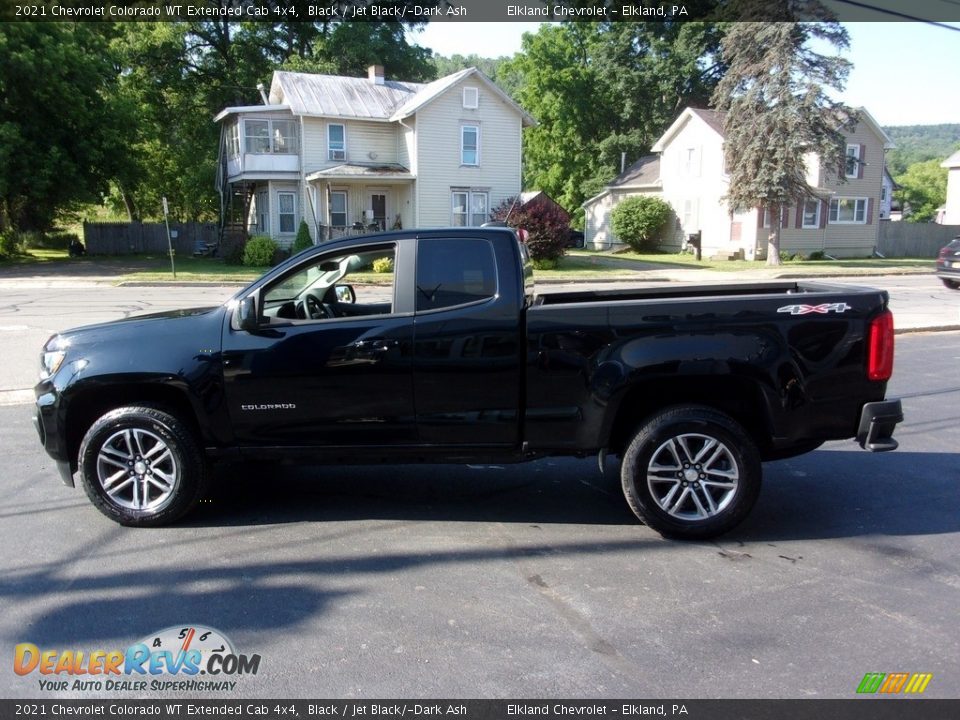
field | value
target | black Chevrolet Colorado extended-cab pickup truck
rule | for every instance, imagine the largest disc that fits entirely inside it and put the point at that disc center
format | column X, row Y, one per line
column 431, row 346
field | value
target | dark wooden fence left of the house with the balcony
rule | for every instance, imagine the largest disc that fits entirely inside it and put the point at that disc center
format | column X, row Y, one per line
column 137, row 237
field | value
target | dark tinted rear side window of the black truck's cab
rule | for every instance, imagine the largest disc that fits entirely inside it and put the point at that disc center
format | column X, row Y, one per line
column 453, row 272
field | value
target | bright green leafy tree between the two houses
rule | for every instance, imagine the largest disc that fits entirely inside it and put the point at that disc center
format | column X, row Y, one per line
column 601, row 90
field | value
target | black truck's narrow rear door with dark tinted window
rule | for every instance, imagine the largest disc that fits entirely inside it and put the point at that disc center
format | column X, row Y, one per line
column 467, row 345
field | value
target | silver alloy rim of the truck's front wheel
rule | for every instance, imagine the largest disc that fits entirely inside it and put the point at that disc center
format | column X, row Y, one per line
column 137, row 470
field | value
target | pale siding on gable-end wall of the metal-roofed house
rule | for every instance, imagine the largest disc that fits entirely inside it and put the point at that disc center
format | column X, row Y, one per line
column 438, row 167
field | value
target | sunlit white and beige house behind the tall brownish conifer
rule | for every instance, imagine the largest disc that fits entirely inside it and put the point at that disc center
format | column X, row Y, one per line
column 843, row 220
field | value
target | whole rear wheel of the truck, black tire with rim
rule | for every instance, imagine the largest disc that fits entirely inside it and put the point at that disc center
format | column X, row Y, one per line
column 691, row 473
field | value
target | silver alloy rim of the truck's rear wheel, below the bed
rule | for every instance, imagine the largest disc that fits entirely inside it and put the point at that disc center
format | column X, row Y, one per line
column 693, row 477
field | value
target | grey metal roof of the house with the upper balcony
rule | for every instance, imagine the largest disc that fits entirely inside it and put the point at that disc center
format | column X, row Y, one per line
column 353, row 98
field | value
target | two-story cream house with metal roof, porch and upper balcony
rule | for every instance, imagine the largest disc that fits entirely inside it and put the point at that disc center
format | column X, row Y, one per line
column 348, row 153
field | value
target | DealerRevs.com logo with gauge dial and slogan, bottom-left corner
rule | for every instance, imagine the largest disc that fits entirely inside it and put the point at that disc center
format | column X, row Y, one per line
column 189, row 658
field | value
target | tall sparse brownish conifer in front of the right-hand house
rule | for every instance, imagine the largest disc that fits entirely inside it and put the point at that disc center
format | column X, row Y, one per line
column 775, row 95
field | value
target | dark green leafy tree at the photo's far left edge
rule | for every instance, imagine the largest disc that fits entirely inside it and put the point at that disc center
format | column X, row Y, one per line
column 61, row 130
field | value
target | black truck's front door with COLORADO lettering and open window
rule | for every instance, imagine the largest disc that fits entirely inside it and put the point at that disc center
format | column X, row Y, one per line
column 329, row 362
